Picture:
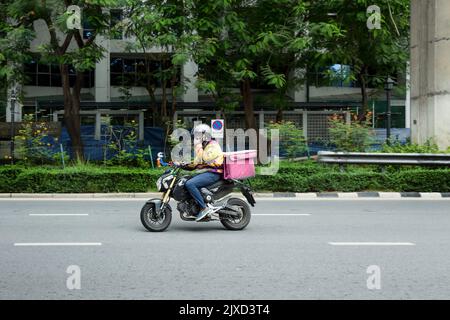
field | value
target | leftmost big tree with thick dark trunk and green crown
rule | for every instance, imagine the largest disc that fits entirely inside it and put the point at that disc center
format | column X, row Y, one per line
column 82, row 56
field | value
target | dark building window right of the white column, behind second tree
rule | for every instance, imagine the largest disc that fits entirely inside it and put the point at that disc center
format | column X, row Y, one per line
column 131, row 72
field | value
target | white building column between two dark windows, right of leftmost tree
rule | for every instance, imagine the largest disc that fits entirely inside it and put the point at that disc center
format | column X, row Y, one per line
column 102, row 73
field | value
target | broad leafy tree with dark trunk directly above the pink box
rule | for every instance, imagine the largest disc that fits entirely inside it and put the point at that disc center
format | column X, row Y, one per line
column 254, row 40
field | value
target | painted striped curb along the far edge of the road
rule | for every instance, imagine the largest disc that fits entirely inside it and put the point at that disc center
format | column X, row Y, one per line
column 279, row 195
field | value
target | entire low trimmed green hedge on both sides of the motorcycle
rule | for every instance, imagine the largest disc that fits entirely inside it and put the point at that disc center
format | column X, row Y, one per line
column 291, row 177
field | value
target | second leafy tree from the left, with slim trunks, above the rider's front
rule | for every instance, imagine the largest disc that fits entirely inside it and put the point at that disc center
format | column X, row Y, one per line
column 167, row 28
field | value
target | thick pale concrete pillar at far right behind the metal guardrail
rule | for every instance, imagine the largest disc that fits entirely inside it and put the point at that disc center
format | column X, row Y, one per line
column 430, row 71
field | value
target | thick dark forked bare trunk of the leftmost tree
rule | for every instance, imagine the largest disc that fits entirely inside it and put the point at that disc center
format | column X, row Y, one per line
column 72, row 118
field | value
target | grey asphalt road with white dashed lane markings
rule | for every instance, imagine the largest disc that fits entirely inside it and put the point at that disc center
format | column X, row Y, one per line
column 292, row 249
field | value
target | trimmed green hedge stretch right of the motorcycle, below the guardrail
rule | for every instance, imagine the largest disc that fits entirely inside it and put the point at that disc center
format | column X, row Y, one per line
column 313, row 177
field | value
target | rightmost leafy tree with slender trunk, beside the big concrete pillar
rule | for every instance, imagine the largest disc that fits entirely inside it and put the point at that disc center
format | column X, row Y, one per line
column 373, row 53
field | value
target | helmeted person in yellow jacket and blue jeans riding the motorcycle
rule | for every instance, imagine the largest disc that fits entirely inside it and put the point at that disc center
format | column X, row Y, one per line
column 209, row 156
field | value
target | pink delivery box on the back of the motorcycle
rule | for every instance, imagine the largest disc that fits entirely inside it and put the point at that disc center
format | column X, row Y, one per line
column 239, row 165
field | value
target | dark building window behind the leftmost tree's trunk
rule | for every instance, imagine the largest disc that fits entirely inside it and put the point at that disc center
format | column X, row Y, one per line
column 48, row 75
